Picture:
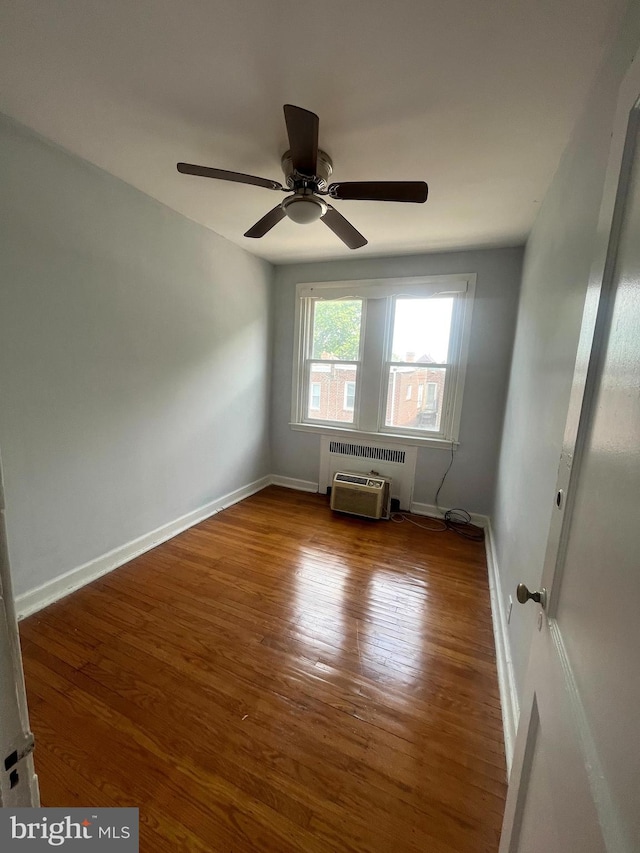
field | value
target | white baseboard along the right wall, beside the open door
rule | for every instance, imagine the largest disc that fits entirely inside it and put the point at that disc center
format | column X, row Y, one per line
column 506, row 680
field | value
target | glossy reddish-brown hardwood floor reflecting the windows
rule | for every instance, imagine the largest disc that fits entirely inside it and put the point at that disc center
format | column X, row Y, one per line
column 279, row 678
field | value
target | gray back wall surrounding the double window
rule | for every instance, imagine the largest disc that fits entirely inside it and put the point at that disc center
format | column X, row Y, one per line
column 470, row 483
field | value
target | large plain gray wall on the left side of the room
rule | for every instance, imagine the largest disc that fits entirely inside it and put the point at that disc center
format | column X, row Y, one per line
column 134, row 361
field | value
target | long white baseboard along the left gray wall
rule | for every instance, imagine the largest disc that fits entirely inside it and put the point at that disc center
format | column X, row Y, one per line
column 42, row 596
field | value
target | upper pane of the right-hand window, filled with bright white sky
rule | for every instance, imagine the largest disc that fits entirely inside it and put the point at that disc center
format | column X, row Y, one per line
column 421, row 330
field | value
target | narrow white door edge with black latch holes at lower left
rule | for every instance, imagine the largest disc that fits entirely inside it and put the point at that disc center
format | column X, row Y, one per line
column 18, row 782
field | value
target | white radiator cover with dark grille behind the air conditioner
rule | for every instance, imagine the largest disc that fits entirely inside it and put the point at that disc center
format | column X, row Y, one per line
column 394, row 461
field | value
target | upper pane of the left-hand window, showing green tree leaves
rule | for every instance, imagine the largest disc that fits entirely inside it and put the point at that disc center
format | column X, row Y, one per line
column 336, row 329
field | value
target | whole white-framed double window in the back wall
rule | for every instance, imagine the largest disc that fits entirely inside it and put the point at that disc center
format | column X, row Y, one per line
column 362, row 346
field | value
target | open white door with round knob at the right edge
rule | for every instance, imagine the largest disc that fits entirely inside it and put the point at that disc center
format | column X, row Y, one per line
column 575, row 781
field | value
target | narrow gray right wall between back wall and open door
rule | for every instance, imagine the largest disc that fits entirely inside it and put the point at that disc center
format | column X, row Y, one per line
column 555, row 276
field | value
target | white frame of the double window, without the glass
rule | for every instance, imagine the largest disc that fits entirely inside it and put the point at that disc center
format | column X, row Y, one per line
column 369, row 412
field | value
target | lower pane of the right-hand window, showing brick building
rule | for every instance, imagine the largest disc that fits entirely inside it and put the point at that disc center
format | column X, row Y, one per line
column 402, row 410
